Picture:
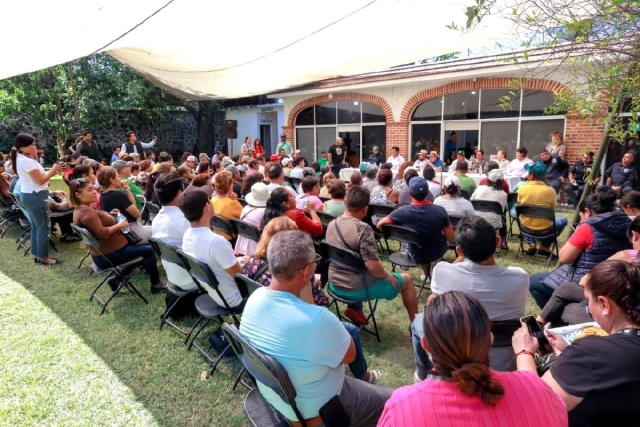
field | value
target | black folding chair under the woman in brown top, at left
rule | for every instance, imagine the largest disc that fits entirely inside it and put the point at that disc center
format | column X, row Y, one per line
column 119, row 272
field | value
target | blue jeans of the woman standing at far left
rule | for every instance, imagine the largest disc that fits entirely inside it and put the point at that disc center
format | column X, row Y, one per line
column 37, row 212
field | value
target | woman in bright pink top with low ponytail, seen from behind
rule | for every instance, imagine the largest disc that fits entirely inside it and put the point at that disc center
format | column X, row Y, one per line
column 462, row 390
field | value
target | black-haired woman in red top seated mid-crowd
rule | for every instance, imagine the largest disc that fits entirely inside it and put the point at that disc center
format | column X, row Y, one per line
column 283, row 203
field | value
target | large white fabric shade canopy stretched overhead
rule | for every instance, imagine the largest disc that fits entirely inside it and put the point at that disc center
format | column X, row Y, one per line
column 201, row 49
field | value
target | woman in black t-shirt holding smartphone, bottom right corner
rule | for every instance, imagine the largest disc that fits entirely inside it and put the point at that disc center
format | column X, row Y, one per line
column 597, row 377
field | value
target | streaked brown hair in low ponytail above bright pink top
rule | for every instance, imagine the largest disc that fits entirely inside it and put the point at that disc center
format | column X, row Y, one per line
column 457, row 333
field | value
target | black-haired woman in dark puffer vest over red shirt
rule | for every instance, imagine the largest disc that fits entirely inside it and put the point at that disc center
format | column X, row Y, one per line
column 601, row 234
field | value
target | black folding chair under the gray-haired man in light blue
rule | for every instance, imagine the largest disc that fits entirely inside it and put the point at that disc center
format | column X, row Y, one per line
column 267, row 371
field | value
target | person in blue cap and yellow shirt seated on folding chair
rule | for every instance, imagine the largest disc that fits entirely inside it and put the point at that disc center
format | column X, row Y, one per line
column 535, row 192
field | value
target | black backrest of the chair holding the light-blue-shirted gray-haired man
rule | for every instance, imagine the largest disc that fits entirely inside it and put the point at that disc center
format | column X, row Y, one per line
column 264, row 368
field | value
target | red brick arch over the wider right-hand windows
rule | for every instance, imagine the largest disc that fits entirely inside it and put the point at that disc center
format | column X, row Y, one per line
column 481, row 83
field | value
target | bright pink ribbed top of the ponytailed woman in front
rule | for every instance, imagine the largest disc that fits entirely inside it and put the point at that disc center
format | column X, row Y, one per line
column 527, row 402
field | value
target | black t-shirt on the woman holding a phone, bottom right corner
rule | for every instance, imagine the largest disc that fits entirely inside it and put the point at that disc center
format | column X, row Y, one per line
column 605, row 372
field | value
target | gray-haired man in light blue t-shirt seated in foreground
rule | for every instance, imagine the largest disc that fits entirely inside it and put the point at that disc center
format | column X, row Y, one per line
column 308, row 340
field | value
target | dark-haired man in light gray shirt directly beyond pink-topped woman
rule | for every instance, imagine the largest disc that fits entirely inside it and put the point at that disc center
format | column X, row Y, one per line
column 501, row 290
